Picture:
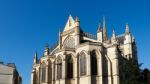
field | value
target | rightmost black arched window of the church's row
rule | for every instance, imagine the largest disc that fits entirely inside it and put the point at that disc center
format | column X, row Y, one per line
column 93, row 63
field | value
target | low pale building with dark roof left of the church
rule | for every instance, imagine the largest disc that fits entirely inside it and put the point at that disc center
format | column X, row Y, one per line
column 9, row 74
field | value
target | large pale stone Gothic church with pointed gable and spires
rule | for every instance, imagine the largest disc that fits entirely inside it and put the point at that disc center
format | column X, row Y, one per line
column 83, row 58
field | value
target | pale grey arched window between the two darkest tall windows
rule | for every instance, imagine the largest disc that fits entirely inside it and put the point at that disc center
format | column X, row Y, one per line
column 82, row 64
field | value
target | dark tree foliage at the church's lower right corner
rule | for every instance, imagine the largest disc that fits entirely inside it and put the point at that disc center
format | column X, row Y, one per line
column 134, row 75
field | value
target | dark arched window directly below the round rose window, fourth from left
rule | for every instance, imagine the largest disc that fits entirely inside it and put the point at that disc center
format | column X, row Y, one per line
column 69, row 66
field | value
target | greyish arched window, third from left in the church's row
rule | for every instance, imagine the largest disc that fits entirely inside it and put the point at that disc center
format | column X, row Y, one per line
column 59, row 67
